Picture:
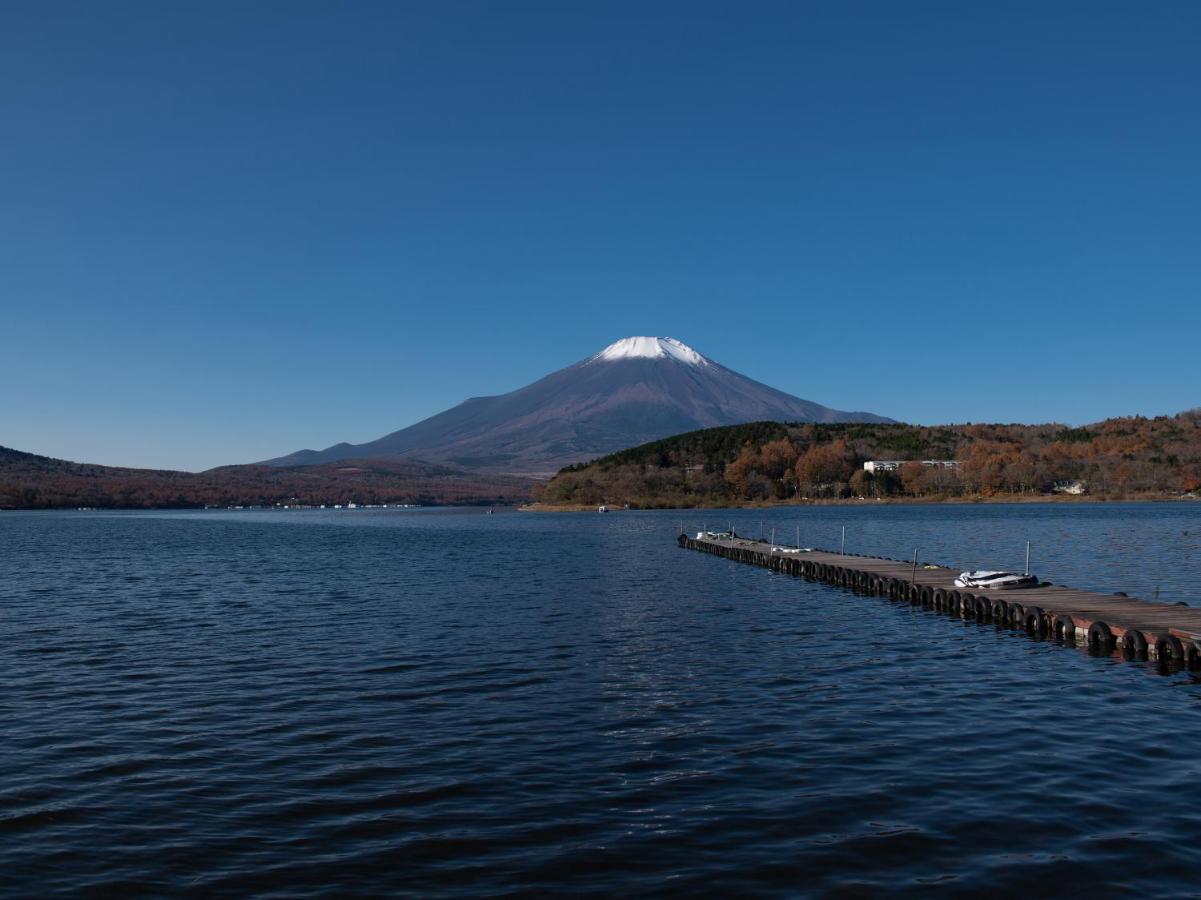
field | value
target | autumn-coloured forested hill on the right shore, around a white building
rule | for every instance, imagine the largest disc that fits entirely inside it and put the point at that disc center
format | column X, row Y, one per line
column 774, row 462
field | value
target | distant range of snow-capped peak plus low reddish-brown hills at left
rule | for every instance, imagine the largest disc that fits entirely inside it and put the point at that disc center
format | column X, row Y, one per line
column 486, row 450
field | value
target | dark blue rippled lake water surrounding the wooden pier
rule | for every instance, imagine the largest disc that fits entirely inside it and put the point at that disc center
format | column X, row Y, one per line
column 428, row 702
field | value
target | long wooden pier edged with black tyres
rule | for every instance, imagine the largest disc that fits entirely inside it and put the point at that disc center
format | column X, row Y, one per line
column 1139, row 629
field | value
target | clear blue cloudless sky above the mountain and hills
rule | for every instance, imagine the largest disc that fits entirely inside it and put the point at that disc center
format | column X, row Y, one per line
column 234, row 230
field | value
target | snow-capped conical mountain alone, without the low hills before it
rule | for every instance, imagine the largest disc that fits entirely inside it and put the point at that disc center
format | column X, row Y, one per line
column 635, row 391
